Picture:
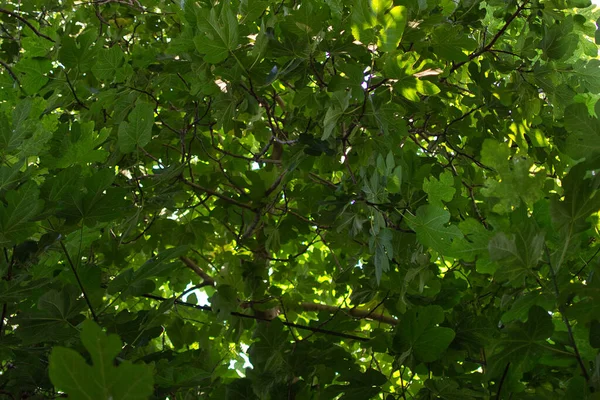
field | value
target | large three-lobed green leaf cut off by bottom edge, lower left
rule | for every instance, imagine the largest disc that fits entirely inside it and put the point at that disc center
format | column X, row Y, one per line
column 101, row 380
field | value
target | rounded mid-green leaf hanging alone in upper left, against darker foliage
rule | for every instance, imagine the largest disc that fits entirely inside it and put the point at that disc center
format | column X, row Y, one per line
column 138, row 131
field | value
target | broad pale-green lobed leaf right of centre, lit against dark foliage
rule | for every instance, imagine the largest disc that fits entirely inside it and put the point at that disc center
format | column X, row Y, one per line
column 430, row 225
